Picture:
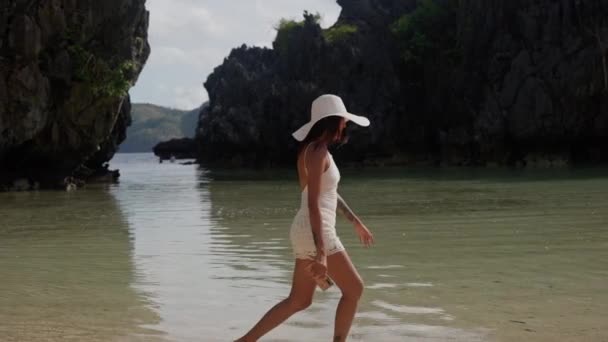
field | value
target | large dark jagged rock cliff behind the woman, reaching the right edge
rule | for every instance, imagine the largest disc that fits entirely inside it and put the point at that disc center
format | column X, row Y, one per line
column 447, row 83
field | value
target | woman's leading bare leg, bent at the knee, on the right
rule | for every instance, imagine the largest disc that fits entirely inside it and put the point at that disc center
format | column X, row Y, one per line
column 346, row 277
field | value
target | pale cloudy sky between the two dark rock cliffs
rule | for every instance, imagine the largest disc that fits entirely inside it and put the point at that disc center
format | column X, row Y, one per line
column 191, row 37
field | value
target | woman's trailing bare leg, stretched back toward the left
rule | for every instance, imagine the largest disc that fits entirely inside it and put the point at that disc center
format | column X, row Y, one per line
column 300, row 297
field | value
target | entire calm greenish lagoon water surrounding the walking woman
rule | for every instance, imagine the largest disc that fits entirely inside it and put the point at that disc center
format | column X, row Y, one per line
column 174, row 253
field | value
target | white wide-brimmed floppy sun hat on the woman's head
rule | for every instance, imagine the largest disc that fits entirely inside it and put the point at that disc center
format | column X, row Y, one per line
column 324, row 106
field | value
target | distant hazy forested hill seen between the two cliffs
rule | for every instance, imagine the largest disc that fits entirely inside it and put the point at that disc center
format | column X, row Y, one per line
column 153, row 124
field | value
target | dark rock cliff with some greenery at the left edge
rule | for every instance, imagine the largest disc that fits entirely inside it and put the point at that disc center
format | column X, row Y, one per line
column 65, row 69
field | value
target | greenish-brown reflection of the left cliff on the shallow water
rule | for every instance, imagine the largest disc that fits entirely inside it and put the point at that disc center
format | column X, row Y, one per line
column 66, row 270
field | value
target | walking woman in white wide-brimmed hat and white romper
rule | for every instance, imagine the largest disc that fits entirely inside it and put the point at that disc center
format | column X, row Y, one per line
column 317, row 249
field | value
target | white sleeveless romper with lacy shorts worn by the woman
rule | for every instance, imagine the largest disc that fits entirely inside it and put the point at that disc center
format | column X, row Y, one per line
column 301, row 230
